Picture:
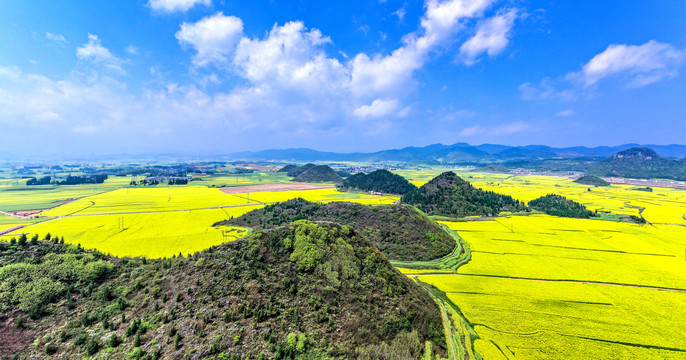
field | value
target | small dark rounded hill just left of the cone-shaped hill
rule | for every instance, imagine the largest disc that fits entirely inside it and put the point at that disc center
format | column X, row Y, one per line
column 382, row 181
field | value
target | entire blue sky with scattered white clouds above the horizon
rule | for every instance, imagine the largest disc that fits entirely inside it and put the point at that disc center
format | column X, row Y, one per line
column 203, row 77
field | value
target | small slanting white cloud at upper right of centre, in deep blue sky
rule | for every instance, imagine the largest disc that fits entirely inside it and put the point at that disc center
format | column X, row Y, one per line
column 491, row 37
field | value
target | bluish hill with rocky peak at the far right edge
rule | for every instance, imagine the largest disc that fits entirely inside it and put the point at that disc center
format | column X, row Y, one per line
column 640, row 163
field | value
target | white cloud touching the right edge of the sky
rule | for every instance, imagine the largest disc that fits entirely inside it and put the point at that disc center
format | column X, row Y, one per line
column 642, row 64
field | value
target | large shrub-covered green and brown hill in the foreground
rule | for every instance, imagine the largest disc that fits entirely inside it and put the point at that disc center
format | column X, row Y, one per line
column 304, row 290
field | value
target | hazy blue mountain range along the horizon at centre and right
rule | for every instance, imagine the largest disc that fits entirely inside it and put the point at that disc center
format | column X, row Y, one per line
column 458, row 153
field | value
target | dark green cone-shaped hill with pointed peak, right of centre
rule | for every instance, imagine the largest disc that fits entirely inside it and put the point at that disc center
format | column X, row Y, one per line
column 449, row 195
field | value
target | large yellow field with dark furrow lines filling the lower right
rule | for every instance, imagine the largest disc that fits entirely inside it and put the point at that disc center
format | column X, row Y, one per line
column 545, row 287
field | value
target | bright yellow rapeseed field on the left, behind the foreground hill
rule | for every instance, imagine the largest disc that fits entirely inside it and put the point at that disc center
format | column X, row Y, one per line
column 163, row 221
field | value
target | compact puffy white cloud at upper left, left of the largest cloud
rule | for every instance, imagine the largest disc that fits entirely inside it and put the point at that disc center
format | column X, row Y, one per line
column 213, row 37
